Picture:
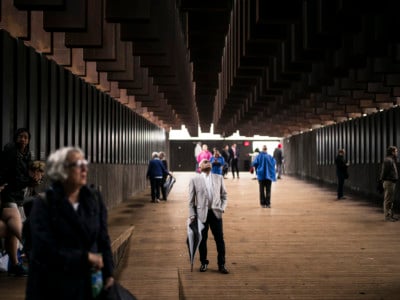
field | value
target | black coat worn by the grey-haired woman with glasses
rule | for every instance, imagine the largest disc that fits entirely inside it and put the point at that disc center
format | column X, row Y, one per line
column 61, row 240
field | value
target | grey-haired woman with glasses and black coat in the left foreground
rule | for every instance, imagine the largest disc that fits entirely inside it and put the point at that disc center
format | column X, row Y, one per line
column 70, row 241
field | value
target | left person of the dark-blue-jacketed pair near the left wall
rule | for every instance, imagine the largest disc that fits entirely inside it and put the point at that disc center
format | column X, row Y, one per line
column 155, row 173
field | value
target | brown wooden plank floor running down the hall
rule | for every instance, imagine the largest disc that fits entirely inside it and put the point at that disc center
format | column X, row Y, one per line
column 307, row 246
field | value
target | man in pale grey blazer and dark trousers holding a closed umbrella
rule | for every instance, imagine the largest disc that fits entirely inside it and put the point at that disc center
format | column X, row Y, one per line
column 207, row 202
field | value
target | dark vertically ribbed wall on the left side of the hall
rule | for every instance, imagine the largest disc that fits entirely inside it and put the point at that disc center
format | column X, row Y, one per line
column 60, row 109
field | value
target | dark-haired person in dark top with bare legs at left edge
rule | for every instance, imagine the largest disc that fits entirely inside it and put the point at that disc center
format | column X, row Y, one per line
column 14, row 179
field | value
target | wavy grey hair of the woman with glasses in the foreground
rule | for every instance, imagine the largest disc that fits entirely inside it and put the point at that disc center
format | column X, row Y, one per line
column 56, row 163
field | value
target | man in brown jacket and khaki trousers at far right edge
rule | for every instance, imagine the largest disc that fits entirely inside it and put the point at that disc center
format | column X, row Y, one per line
column 389, row 176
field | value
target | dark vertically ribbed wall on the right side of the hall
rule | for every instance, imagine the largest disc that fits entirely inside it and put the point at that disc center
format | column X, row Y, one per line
column 365, row 140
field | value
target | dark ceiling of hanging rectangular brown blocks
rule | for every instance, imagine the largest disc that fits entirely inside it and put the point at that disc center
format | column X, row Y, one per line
column 261, row 67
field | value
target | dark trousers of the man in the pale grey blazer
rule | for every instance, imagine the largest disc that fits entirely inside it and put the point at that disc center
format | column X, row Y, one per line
column 215, row 225
